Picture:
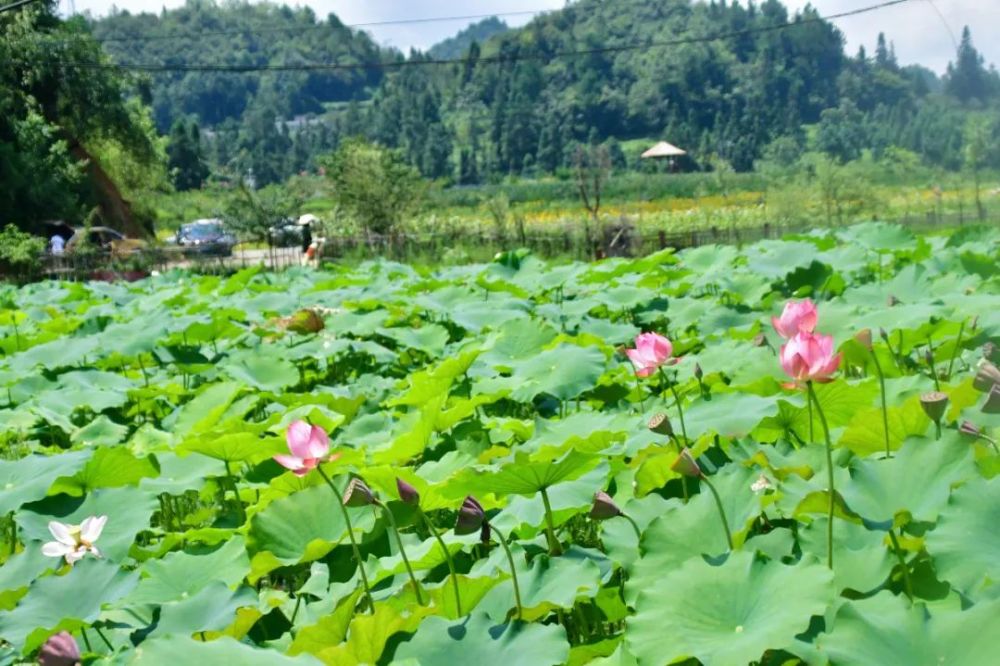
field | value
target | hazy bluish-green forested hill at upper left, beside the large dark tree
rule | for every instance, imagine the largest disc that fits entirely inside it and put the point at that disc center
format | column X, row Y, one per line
column 243, row 34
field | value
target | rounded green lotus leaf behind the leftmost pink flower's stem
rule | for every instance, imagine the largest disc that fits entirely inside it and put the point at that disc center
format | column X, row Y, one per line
column 303, row 526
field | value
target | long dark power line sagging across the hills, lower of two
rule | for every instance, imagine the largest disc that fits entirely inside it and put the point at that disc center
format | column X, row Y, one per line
column 501, row 59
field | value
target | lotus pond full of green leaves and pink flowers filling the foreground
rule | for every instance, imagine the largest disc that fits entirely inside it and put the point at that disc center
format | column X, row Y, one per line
column 194, row 467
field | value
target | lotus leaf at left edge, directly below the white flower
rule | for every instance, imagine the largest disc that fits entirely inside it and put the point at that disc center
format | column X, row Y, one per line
column 54, row 603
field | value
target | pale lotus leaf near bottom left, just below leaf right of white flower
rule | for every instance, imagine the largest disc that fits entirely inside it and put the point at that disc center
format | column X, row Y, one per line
column 211, row 608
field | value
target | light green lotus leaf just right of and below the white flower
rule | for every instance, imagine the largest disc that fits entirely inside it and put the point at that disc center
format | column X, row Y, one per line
column 179, row 575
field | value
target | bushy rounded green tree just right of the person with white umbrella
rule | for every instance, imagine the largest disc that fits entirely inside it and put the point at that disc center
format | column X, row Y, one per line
column 373, row 184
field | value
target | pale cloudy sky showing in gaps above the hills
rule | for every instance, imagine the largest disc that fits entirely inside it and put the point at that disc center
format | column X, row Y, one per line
column 919, row 33
